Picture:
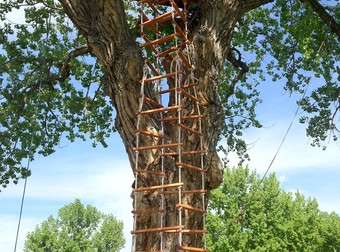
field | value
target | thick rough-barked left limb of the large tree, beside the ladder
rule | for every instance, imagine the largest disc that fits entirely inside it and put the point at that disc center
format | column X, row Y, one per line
column 104, row 25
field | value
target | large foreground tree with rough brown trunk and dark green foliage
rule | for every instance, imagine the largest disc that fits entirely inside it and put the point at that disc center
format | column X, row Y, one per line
column 66, row 67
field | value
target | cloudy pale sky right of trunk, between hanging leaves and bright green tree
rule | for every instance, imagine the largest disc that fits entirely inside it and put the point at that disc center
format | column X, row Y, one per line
column 298, row 165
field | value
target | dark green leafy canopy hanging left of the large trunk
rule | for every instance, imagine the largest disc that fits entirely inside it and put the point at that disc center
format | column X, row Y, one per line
column 50, row 87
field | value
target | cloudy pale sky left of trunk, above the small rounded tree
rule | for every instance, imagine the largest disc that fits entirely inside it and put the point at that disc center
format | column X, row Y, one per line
column 100, row 177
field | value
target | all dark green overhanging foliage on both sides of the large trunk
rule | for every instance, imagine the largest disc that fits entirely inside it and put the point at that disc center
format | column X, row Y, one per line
column 51, row 88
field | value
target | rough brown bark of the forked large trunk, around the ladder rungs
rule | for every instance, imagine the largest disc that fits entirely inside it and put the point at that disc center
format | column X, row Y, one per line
column 104, row 25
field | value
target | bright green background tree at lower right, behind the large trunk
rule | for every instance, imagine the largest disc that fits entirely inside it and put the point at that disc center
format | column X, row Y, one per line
column 245, row 215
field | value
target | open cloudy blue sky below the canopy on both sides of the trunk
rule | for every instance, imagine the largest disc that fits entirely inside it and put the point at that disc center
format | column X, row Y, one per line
column 102, row 177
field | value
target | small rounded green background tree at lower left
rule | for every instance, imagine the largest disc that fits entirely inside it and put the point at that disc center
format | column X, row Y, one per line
column 77, row 228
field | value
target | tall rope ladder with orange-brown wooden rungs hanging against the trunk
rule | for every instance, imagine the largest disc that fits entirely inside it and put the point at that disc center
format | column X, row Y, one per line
column 168, row 72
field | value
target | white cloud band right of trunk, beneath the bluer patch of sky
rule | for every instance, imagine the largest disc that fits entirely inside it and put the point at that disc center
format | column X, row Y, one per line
column 296, row 152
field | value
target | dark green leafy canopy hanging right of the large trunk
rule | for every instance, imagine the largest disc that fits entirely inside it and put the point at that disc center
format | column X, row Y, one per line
column 286, row 41
